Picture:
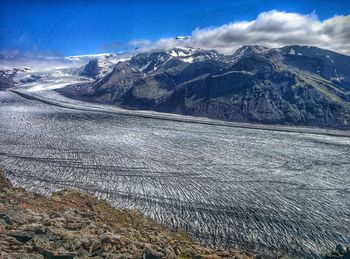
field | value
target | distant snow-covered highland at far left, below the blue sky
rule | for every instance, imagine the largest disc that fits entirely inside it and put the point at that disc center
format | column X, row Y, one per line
column 71, row 68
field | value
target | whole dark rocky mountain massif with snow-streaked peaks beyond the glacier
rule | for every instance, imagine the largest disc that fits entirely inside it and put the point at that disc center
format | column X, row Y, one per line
column 297, row 85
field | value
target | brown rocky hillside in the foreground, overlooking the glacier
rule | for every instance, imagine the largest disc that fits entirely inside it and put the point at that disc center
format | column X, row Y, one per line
column 73, row 224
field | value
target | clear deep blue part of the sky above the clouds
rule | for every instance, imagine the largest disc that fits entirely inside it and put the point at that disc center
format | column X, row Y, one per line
column 81, row 27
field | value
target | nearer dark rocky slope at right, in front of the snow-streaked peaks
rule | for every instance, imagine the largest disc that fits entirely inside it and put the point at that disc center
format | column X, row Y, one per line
column 262, row 93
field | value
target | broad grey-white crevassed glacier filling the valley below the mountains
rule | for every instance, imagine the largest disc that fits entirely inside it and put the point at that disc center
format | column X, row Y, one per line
column 274, row 192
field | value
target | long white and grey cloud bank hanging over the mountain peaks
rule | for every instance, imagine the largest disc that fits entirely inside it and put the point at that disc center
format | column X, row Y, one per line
column 271, row 29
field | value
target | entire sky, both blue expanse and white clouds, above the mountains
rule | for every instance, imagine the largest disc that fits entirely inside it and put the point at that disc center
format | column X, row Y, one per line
column 85, row 27
